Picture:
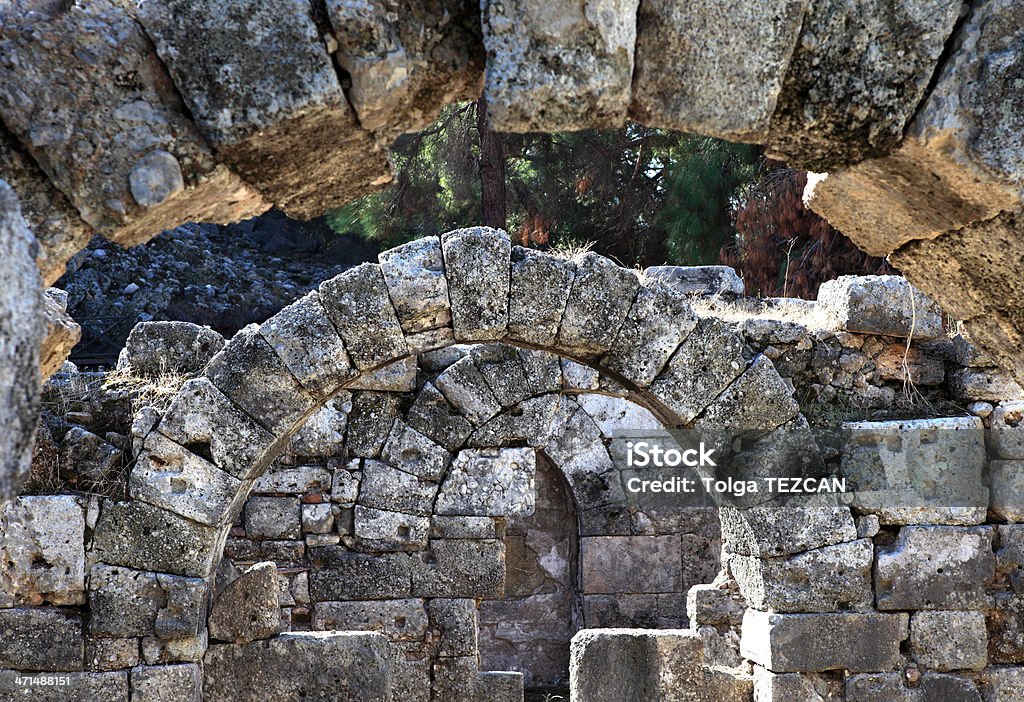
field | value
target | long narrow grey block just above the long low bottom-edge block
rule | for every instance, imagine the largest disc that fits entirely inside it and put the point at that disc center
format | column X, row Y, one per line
column 398, row 620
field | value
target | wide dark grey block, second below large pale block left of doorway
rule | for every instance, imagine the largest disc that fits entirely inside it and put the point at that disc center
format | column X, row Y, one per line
column 461, row 568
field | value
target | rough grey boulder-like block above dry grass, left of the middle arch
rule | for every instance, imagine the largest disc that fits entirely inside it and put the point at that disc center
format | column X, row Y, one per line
column 155, row 348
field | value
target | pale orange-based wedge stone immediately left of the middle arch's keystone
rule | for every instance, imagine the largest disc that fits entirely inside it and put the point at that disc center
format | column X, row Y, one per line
column 415, row 277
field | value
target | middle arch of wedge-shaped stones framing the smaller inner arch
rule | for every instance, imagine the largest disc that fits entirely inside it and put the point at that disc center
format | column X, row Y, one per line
column 472, row 286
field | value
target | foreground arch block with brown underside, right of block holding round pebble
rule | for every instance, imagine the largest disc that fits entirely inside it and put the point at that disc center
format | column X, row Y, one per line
column 264, row 109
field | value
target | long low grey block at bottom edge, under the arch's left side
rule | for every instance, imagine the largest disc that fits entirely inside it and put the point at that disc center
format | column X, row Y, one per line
column 314, row 667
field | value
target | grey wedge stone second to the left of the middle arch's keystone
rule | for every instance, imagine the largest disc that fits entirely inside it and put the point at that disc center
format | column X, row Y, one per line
column 360, row 308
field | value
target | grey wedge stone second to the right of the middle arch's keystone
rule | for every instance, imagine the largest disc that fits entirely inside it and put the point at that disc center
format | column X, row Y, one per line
column 602, row 297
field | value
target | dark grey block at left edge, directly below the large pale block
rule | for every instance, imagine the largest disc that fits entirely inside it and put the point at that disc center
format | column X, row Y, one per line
column 41, row 639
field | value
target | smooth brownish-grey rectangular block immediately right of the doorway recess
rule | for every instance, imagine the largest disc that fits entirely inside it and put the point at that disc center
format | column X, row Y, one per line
column 631, row 564
